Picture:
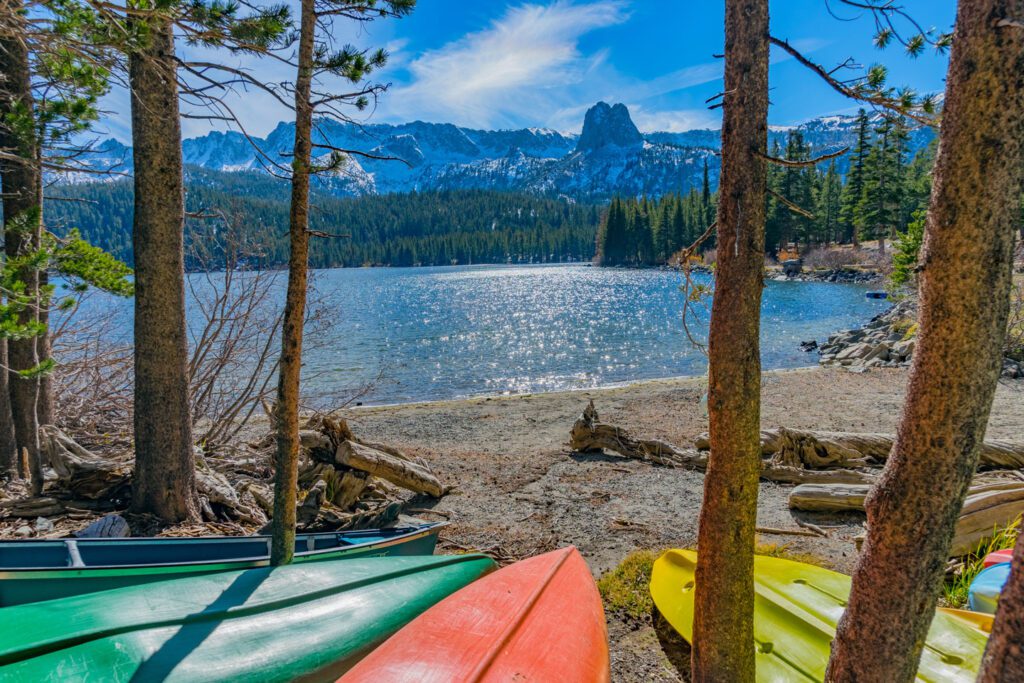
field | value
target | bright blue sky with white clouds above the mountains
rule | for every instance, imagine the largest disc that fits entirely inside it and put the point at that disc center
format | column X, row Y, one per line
column 493, row 64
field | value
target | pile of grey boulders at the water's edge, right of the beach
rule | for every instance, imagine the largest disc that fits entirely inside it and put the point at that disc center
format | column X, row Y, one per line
column 887, row 341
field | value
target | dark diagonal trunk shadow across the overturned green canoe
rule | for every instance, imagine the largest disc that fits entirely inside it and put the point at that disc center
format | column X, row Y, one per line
column 198, row 627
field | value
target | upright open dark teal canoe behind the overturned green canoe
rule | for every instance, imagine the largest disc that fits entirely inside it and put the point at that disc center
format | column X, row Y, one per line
column 47, row 570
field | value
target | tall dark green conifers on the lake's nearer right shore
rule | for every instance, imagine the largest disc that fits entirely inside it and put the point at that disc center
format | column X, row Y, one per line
column 885, row 191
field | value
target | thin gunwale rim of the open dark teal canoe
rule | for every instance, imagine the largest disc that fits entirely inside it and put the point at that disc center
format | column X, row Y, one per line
column 253, row 562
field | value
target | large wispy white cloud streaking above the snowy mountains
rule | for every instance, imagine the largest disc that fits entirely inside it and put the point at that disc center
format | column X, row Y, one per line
column 517, row 68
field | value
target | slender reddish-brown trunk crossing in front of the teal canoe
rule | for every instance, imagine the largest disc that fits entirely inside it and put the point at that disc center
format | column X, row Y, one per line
column 287, row 459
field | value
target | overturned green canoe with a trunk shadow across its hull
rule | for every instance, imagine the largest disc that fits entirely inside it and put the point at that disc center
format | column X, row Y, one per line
column 309, row 621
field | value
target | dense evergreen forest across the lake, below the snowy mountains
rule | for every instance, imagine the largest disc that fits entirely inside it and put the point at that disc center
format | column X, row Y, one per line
column 245, row 216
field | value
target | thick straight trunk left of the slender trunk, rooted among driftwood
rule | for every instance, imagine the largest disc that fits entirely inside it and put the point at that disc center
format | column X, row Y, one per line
column 164, row 484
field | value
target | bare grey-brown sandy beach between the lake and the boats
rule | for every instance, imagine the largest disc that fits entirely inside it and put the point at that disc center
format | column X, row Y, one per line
column 519, row 490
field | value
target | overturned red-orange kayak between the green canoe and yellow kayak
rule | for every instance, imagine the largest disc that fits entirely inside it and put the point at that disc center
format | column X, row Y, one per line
column 539, row 620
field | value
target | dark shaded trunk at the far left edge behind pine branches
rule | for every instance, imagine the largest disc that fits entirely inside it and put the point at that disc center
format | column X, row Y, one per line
column 23, row 222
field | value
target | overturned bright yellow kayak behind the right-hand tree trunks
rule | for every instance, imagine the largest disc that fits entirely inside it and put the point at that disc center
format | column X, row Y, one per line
column 797, row 608
